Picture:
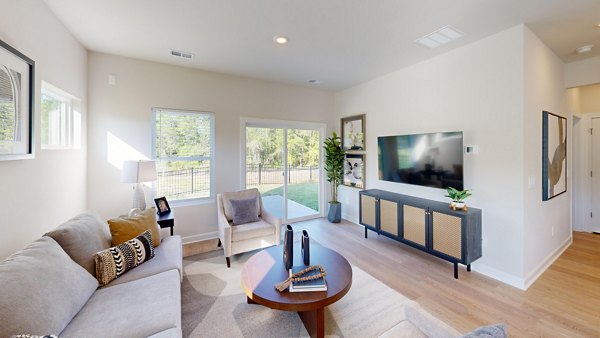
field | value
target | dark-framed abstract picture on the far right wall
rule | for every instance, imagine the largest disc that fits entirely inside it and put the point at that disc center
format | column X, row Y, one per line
column 554, row 155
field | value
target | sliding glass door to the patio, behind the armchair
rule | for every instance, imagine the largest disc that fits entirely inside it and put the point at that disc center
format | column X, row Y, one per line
column 283, row 162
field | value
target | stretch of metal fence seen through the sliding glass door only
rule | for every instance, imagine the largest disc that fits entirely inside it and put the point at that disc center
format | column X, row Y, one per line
column 257, row 174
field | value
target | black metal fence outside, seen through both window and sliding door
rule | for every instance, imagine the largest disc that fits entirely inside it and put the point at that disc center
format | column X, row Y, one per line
column 195, row 182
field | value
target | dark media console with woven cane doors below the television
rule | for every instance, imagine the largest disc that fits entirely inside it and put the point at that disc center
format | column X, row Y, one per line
column 427, row 225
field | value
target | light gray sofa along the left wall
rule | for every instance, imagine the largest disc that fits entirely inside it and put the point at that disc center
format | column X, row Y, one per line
column 49, row 287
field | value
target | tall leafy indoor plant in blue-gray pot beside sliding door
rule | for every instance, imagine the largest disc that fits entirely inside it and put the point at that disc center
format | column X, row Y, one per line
column 334, row 167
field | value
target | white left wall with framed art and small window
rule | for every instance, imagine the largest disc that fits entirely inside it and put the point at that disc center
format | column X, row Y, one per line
column 37, row 195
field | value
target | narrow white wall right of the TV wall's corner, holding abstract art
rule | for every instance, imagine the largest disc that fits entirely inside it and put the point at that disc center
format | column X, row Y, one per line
column 547, row 224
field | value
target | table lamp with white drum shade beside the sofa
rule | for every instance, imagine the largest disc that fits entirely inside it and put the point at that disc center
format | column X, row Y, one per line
column 138, row 172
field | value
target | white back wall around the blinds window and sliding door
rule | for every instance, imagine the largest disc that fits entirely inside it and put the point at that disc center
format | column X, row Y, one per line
column 120, row 125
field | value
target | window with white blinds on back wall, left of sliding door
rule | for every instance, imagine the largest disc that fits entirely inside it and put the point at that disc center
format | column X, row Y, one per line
column 183, row 148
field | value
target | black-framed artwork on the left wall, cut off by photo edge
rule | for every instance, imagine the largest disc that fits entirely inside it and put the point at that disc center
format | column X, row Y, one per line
column 16, row 104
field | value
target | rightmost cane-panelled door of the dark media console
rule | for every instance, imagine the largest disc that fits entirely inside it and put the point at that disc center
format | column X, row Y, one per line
column 447, row 234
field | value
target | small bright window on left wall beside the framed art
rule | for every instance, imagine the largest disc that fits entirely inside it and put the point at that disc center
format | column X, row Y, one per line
column 61, row 119
